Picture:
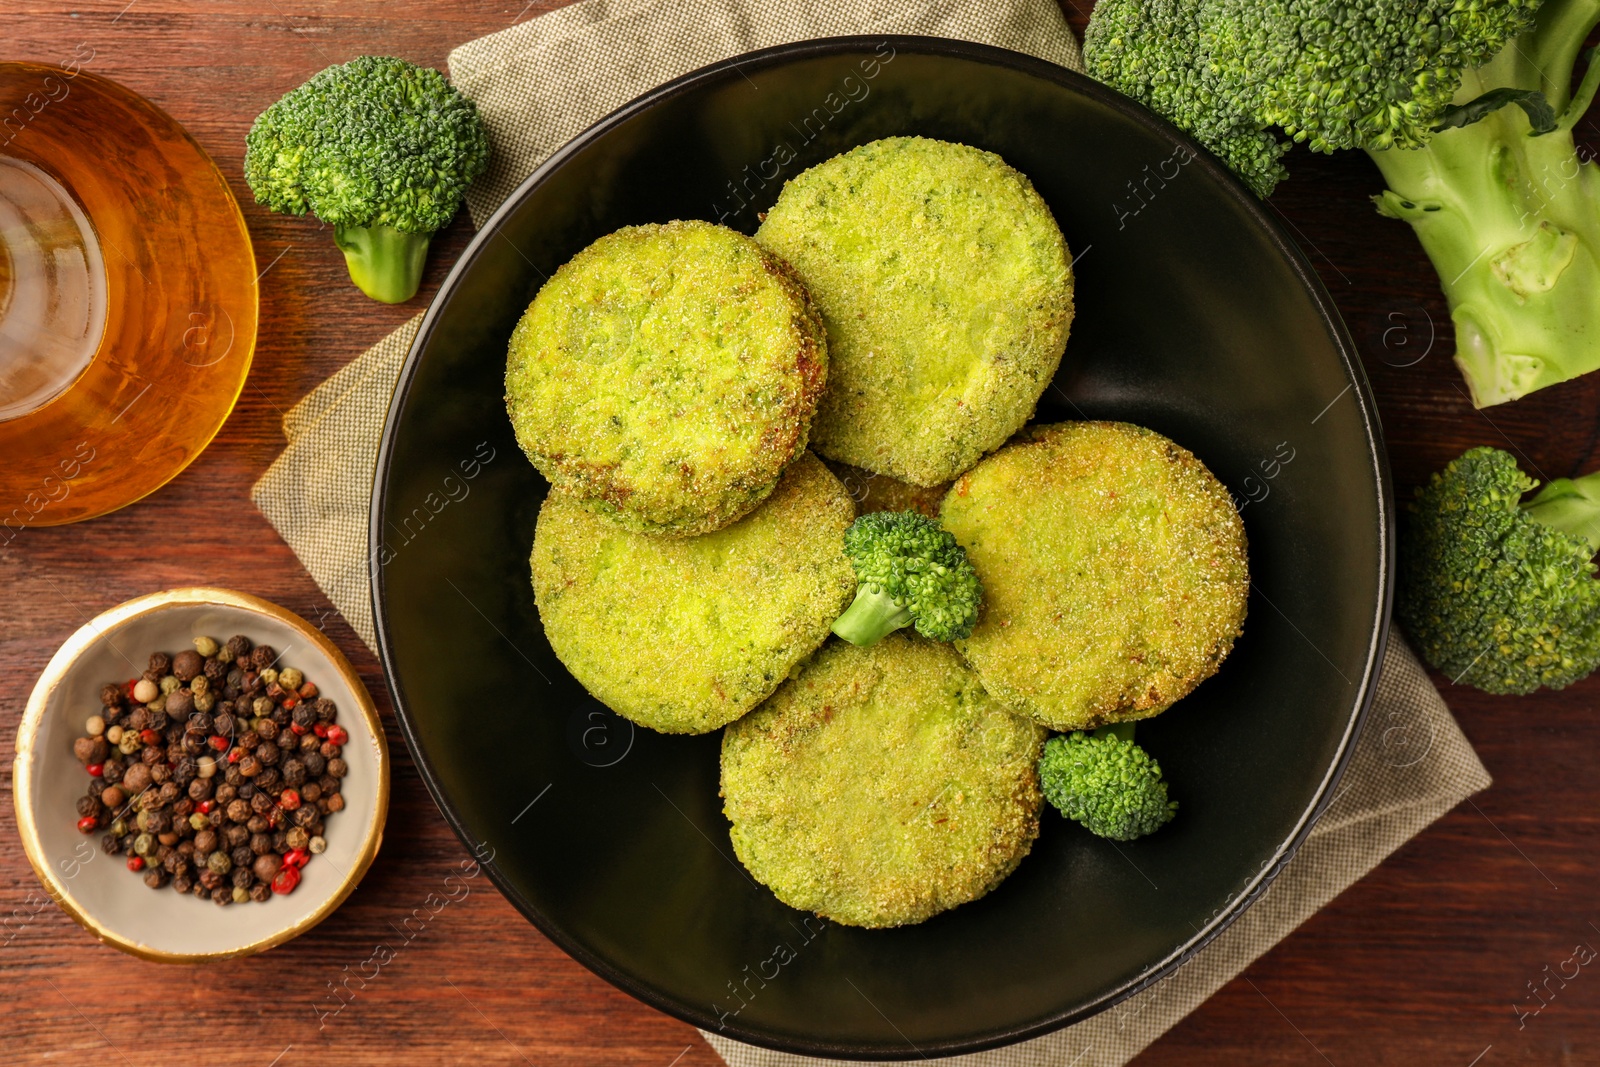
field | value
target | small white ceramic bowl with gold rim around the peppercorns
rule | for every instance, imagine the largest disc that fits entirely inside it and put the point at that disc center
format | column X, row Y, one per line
column 98, row 890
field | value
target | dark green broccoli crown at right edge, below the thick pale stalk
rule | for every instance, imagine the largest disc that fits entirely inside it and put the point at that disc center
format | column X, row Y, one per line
column 1495, row 591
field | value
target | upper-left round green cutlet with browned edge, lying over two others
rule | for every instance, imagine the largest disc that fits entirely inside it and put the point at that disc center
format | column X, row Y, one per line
column 666, row 377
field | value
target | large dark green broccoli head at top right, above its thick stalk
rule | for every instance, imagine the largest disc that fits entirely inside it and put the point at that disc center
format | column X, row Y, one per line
column 1327, row 73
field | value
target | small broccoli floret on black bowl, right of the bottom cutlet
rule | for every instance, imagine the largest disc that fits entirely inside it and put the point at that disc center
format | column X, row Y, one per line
column 1106, row 783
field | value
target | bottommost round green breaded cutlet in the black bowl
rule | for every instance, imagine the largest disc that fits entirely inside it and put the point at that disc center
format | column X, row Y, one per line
column 882, row 785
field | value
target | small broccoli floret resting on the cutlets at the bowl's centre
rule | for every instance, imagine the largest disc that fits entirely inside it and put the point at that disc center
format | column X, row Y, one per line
column 910, row 572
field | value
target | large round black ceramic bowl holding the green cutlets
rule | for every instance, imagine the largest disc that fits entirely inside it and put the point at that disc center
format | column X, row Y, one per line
column 1196, row 318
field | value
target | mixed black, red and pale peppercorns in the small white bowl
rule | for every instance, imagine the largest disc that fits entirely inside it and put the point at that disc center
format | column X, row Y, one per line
column 214, row 772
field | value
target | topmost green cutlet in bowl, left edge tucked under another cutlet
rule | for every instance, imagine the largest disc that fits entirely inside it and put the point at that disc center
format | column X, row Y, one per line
column 946, row 290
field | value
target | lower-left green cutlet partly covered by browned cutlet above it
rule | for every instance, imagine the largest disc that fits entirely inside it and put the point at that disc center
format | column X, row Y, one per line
column 687, row 634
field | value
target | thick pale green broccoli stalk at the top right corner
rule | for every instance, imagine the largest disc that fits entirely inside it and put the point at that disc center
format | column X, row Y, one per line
column 1513, row 222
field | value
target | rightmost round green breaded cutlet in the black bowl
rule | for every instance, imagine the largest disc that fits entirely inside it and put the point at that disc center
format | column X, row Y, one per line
column 1114, row 572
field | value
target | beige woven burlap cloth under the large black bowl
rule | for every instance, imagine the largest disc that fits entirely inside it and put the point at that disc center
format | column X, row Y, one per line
column 545, row 81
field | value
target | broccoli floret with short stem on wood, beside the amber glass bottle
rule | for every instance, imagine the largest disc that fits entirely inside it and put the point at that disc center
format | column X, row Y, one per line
column 378, row 148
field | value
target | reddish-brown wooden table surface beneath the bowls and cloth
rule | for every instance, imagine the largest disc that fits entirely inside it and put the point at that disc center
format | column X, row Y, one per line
column 1420, row 964
